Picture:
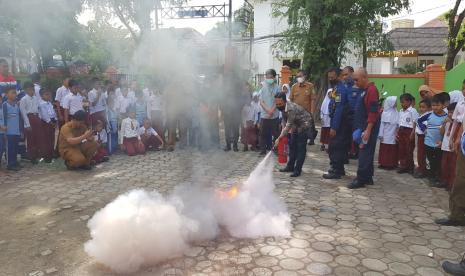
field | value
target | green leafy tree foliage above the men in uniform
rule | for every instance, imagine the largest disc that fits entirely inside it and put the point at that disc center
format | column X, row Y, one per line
column 323, row 29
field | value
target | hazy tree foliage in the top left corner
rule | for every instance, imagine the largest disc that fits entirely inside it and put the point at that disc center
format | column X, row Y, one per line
column 48, row 26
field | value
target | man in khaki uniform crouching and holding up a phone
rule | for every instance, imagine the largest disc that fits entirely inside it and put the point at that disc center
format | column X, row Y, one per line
column 76, row 143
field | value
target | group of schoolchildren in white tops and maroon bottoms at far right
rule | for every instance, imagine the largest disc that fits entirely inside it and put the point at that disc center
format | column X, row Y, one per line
column 434, row 126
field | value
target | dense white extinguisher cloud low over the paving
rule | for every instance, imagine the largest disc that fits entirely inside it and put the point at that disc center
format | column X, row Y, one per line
column 143, row 228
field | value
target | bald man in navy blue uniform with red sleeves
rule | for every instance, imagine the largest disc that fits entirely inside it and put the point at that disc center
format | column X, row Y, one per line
column 367, row 124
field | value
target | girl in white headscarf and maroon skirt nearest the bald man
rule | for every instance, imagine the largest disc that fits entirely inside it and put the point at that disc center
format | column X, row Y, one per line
column 387, row 134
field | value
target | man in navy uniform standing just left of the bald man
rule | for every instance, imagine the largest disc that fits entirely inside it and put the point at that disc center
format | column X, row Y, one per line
column 340, row 125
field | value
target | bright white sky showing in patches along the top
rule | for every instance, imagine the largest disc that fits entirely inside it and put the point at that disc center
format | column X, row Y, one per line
column 421, row 11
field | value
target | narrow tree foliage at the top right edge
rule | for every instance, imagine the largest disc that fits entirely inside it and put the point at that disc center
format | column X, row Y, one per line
column 456, row 37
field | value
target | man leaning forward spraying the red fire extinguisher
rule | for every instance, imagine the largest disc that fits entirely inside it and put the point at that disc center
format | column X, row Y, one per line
column 300, row 121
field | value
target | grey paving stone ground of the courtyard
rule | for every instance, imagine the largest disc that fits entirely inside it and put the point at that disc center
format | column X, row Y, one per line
column 386, row 229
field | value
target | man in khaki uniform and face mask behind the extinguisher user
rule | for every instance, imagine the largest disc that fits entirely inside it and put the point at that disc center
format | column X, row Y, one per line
column 302, row 93
